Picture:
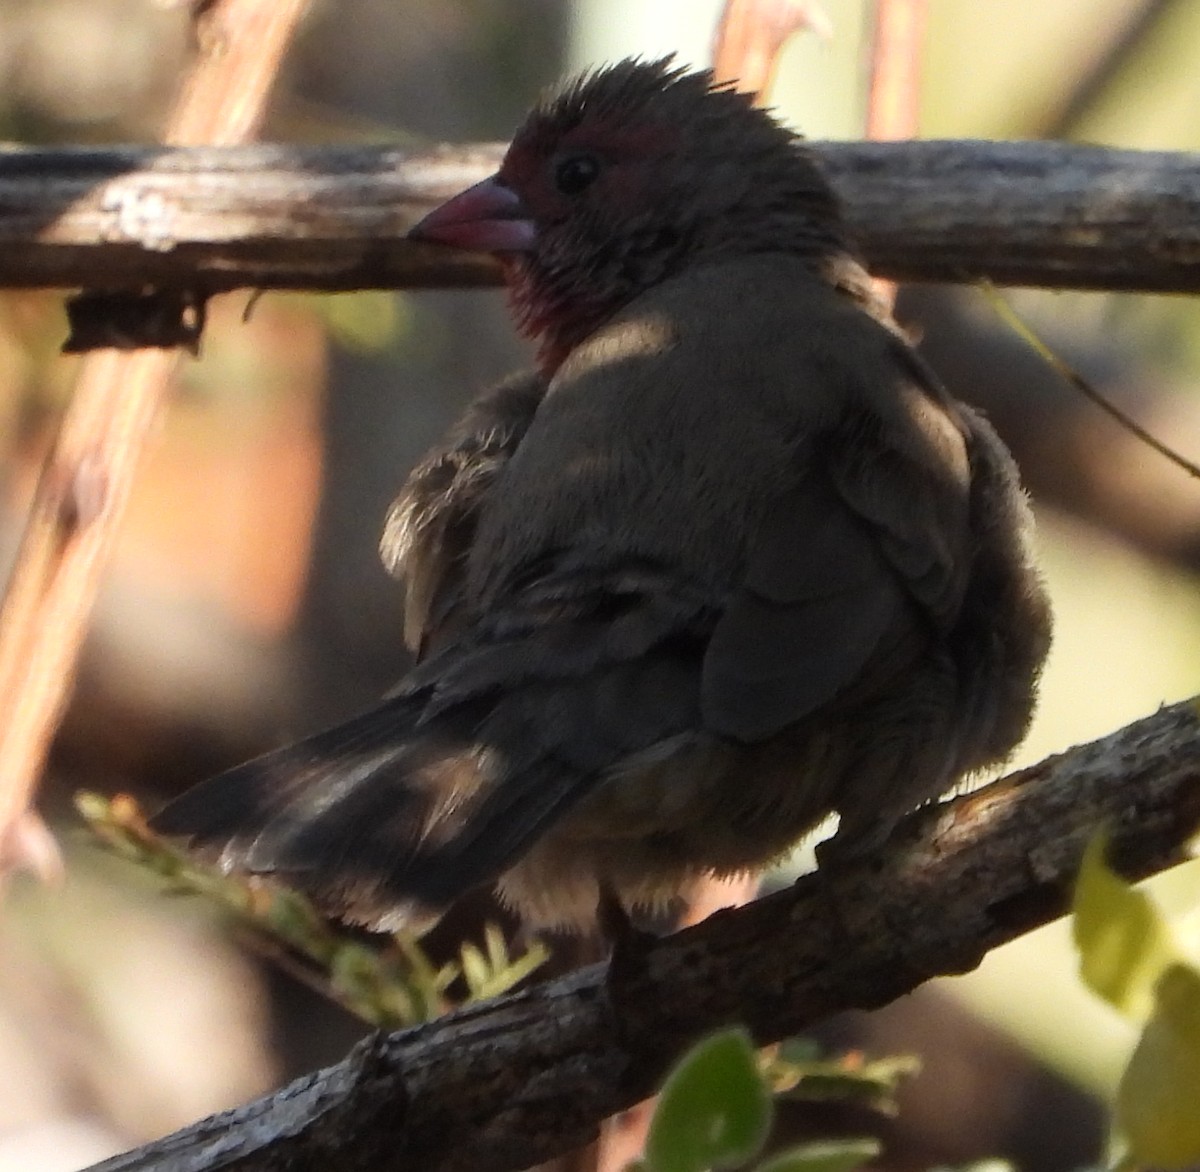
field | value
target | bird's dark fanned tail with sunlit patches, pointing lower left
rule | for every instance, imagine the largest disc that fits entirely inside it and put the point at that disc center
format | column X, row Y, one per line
column 383, row 820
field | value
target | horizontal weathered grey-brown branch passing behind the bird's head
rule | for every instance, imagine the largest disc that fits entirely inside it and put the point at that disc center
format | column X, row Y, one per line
column 1037, row 214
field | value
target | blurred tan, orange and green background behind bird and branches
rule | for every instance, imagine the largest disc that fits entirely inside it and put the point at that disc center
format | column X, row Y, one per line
column 247, row 603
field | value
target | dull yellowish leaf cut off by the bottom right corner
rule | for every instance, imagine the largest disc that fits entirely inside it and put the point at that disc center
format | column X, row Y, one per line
column 1159, row 1101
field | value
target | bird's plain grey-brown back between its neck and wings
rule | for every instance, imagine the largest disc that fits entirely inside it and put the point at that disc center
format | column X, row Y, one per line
column 667, row 435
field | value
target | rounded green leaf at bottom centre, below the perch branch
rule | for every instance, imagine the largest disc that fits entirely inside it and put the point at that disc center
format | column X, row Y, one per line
column 715, row 1110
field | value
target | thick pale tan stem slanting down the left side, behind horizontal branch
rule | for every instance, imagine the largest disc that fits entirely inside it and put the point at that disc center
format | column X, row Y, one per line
column 87, row 478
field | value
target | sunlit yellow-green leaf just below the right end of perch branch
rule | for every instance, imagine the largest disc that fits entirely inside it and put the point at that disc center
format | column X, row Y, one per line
column 1124, row 942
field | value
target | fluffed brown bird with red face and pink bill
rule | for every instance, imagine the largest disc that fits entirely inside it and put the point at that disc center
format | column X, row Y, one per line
column 728, row 561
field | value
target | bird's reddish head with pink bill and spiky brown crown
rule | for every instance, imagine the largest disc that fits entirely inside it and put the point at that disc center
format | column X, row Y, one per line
column 626, row 176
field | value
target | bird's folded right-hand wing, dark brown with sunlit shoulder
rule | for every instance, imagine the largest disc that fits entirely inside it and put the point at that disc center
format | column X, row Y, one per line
column 859, row 562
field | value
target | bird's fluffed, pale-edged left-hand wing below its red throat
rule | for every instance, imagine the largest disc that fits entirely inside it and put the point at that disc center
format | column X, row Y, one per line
column 431, row 525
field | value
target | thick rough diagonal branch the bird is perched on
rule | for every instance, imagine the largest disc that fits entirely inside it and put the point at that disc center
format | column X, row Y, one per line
column 519, row 1080
